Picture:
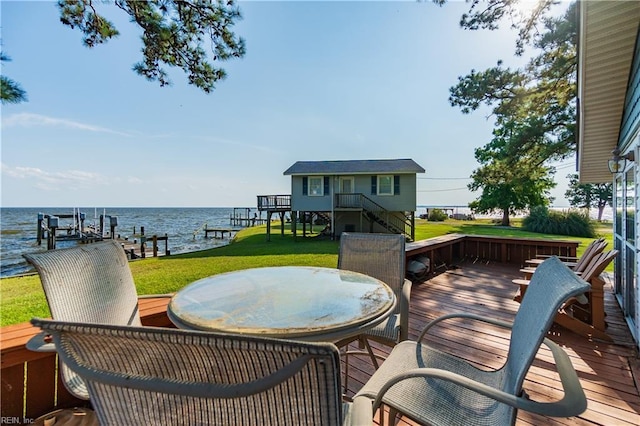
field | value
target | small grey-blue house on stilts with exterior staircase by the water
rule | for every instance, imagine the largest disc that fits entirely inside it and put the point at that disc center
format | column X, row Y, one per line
column 356, row 195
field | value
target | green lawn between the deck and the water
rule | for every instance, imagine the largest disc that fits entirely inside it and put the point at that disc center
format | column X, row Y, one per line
column 22, row 298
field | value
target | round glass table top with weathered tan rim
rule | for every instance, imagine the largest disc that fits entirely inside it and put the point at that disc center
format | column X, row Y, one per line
column 285, row 302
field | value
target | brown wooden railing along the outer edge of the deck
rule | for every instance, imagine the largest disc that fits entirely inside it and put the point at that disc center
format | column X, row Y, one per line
column 30, row 383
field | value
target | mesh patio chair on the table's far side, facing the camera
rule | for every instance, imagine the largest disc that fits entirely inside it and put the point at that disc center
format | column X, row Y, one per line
column 381, row 256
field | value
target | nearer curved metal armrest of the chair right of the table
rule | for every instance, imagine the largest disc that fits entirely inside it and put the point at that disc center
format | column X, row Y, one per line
column 573, row 403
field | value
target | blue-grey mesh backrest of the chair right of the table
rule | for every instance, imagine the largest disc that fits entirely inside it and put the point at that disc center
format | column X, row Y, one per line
column 551, row 285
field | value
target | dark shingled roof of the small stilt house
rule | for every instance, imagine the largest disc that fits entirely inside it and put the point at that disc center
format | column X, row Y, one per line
column 401, row 166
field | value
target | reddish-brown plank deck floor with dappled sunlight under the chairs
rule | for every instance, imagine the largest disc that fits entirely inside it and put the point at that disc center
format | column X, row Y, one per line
column 605, row 370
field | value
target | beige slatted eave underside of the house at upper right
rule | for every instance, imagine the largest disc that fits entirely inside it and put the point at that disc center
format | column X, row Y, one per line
column 608, row 32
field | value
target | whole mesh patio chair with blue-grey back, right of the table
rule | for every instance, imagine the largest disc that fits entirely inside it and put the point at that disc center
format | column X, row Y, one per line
column 437, row 388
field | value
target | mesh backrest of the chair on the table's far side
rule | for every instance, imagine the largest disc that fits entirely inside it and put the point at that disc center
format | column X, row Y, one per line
column 381, row 256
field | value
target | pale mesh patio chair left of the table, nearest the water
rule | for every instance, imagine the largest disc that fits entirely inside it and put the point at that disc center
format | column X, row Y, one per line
column 88, row 283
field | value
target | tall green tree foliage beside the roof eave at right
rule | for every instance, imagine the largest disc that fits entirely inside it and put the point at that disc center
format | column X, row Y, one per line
column 534, row 109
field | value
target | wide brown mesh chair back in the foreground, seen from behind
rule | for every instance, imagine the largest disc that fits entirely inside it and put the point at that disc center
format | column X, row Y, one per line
column 149, row 375
